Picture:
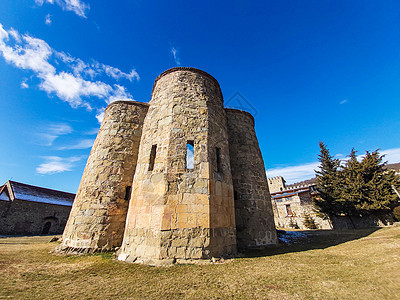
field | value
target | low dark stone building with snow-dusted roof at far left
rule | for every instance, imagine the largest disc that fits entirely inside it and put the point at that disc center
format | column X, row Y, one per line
column 32, row 210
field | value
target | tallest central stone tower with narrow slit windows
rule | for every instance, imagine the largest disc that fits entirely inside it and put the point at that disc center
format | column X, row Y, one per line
column 182, row 200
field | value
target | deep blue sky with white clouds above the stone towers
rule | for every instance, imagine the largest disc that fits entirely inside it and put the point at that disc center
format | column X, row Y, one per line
column 309, row 71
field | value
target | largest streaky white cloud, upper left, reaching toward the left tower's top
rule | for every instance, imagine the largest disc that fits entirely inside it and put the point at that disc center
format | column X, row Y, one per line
column 70, row 79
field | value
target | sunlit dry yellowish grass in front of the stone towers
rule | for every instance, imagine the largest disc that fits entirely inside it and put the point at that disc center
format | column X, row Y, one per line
column 353, row 264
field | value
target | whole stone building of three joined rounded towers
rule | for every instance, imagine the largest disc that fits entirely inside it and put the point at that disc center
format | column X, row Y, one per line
column 180, row 177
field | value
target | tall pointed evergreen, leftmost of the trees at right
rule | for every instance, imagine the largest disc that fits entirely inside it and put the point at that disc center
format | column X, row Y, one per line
column 328, row 179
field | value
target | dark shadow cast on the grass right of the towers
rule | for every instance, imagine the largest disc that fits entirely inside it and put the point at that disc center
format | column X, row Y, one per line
column 297, row 241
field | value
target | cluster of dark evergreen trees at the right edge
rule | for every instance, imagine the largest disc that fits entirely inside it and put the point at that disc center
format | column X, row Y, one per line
column 358, row 188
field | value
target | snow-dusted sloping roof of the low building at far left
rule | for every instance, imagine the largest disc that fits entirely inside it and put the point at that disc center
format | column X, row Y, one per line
column 26, row 192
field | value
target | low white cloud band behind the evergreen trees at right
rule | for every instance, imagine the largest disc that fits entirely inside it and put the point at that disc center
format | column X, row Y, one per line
column 302, row 172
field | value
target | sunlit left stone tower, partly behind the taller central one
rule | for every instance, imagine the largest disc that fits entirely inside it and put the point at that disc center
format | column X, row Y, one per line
column 97, row 218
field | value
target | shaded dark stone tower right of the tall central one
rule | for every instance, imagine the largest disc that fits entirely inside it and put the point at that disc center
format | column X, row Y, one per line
column 254, row 216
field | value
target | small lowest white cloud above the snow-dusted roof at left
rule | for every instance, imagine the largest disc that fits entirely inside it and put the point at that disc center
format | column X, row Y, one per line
column 56, row 164
